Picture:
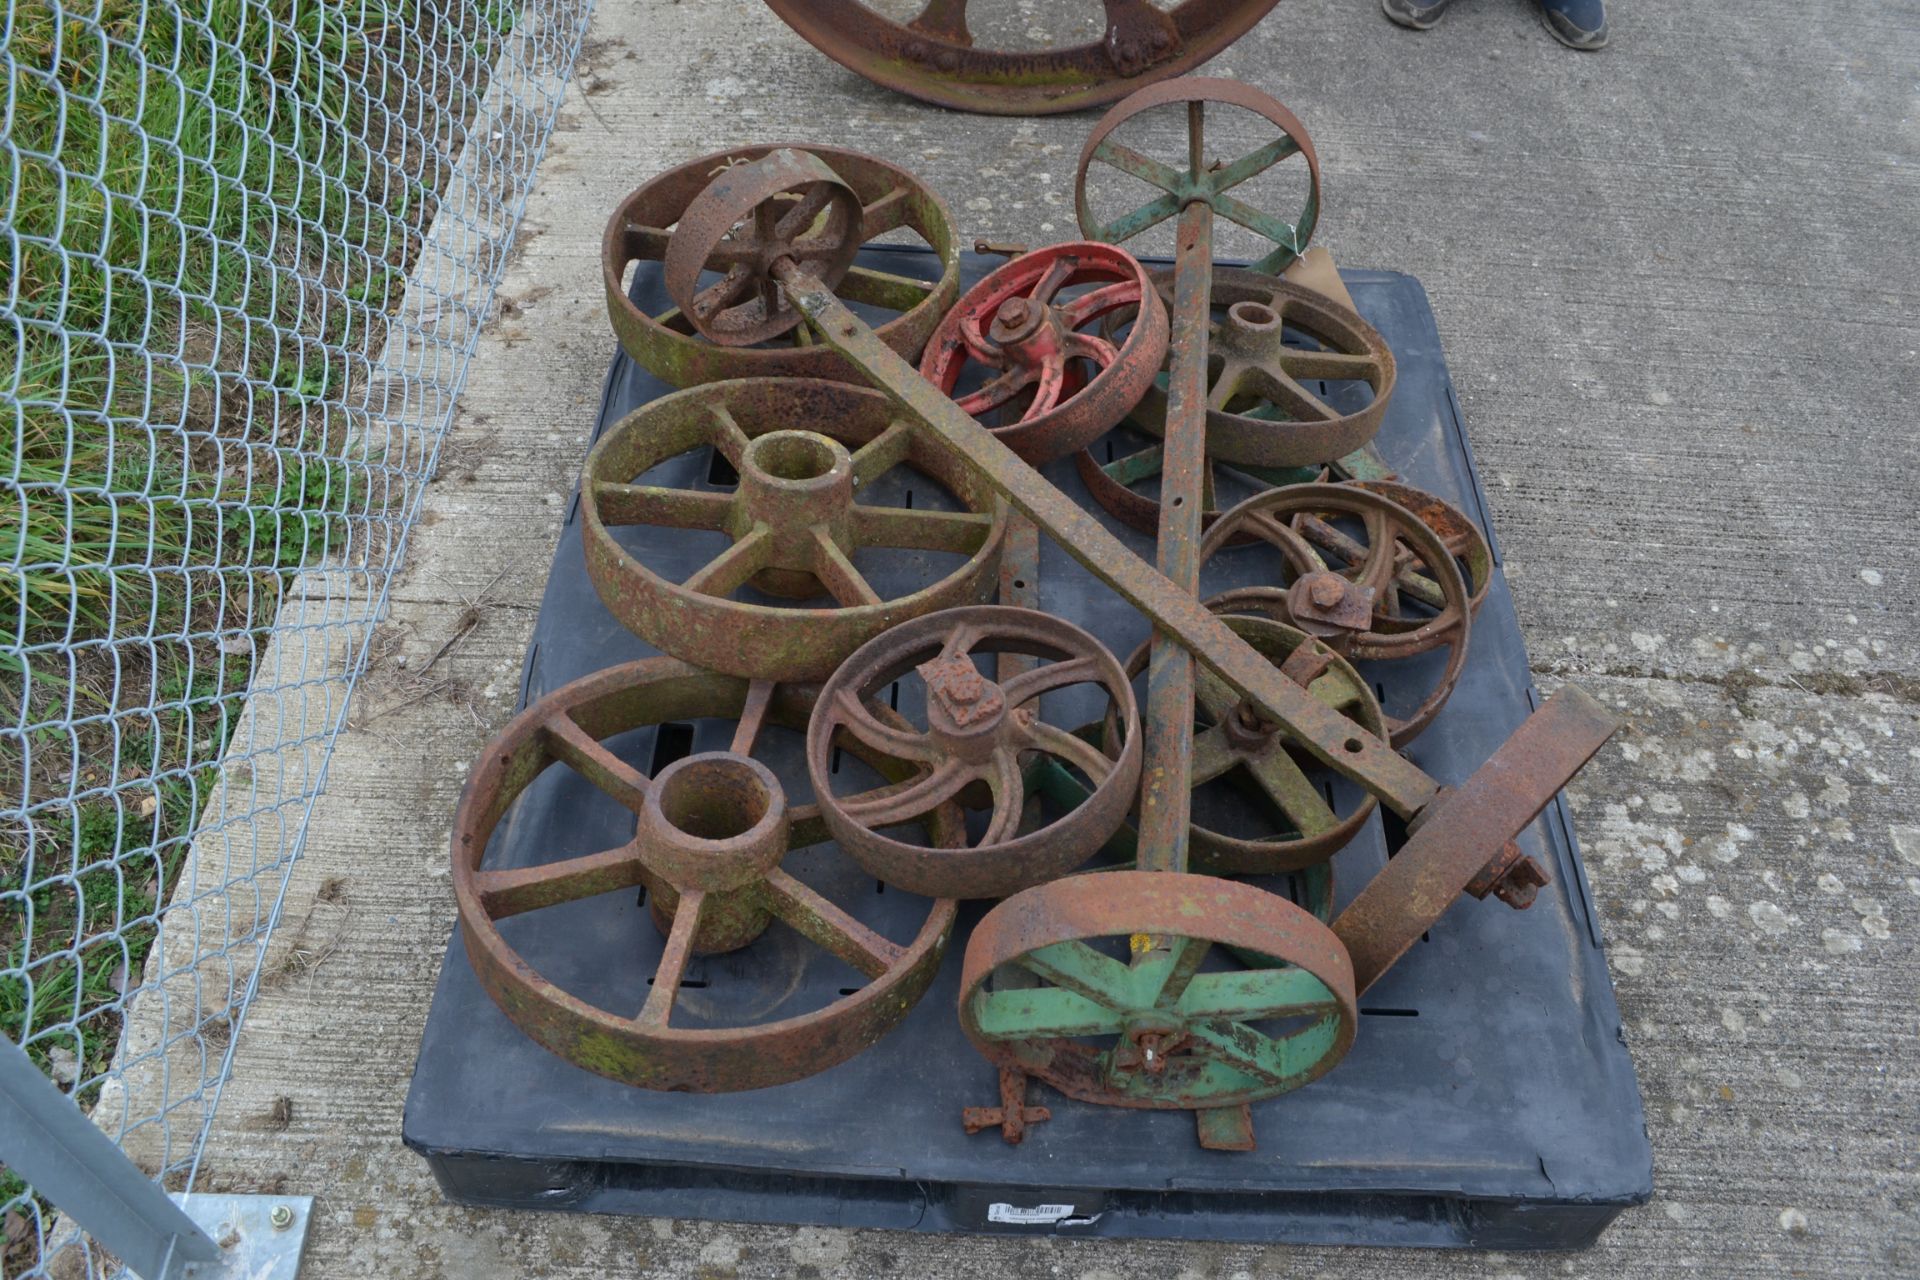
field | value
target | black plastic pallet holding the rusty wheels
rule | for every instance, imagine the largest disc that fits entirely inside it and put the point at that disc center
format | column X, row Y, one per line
column 1489, row 1099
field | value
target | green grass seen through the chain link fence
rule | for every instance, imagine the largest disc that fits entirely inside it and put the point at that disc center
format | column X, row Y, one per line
column 206, row 252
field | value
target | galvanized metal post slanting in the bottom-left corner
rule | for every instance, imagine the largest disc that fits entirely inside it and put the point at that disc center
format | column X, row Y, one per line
column 53, row 1147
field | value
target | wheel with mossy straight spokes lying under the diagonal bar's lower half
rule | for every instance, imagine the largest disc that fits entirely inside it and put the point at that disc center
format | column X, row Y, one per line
column 1236, row 744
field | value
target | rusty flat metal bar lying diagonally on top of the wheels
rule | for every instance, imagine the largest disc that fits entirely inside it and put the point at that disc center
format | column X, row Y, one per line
column 1330, row 736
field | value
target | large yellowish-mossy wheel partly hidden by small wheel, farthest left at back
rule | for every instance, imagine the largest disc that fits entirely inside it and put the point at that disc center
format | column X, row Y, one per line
column 675, row 350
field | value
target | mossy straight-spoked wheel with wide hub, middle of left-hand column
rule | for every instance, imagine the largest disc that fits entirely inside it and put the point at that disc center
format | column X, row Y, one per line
column 794, row 523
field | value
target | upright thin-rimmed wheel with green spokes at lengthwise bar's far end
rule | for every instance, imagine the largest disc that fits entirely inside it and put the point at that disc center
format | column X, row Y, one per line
column 1203, row 179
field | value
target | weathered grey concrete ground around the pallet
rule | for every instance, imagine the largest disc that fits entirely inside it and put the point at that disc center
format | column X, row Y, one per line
column 1679, row 291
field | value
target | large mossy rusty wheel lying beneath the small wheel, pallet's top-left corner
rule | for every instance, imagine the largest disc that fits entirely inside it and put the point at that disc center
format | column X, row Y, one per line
column 671, row 348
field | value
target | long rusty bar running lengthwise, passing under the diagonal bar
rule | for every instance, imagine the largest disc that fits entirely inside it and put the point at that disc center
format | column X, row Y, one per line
column 1166, row 799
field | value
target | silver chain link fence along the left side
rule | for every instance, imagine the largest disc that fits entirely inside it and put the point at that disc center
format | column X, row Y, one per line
column 245, row 252
